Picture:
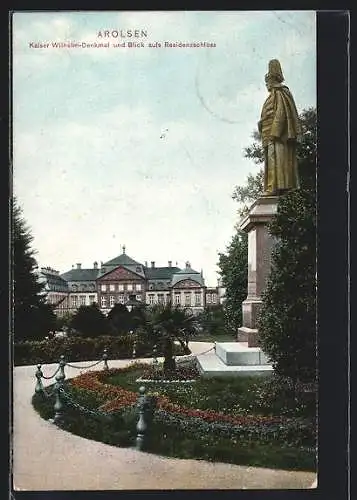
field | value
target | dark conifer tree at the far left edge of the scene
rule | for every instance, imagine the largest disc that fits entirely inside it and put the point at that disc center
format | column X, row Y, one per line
column 32, row 320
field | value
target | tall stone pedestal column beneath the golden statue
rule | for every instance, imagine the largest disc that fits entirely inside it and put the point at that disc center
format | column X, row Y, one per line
column 260, row 244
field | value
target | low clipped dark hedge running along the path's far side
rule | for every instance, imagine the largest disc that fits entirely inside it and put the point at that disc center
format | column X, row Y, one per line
column 80, row 349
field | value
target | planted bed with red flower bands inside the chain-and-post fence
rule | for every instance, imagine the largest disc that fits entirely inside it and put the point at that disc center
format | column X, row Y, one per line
column 245, row 420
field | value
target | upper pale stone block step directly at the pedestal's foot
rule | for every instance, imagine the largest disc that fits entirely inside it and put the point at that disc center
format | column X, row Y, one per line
column 239, row 354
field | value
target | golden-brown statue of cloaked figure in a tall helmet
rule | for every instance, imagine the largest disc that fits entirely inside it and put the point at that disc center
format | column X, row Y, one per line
column 279, row 127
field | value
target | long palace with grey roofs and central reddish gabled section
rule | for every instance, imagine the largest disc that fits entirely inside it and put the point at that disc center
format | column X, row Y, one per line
column 121, row 278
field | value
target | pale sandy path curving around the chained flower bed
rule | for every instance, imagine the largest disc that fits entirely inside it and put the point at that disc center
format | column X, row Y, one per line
column 46, row 457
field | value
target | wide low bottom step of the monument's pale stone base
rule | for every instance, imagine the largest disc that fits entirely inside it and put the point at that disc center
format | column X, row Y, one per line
column 210, row 365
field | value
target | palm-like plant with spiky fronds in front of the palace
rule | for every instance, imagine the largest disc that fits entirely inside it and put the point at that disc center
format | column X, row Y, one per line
column 165, row 324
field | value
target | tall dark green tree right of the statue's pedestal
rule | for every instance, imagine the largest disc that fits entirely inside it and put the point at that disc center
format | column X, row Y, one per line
column 287, row 320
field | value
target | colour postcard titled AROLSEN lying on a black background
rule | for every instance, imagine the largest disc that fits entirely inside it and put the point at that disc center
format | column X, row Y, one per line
column 137, row 153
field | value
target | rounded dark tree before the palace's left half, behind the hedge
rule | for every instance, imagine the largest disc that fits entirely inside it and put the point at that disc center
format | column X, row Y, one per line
column 89, row 321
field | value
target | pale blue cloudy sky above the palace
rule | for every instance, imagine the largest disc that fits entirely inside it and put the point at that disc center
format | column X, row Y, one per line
column 143, row 146
